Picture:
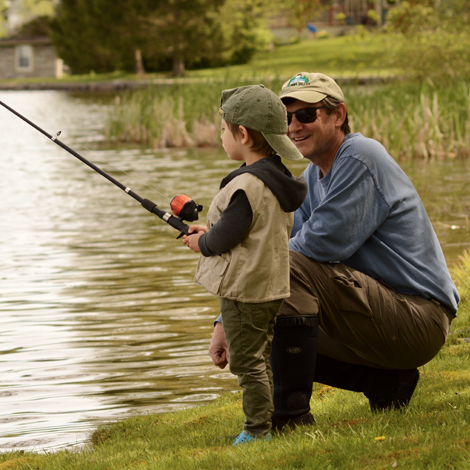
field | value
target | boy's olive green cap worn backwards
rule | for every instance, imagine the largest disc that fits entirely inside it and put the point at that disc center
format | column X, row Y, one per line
column 260, row 109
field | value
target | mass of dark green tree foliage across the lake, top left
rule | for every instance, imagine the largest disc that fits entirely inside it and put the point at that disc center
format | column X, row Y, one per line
column 102, row 36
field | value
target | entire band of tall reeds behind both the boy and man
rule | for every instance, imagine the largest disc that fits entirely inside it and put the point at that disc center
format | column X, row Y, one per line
column 411, row 121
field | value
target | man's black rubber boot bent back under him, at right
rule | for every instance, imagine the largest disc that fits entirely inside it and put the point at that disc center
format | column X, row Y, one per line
column 385, row 389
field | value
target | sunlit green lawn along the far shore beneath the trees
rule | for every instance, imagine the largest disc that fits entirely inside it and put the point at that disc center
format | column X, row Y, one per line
column 346, row 56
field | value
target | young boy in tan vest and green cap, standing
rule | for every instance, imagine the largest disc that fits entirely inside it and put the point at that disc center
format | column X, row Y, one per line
column 245, row 257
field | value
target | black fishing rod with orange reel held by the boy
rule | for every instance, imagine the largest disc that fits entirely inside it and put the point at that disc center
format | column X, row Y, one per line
column 183, row 207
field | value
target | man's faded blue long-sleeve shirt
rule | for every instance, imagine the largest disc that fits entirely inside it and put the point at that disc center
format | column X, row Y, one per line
column 366, row 214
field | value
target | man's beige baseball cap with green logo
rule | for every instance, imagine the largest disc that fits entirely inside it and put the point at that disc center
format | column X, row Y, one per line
column 311, row 88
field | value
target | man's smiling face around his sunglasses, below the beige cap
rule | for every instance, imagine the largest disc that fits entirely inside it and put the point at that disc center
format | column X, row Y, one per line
column 315, row 138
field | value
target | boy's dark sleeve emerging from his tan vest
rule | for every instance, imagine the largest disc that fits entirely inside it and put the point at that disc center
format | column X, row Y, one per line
column 230, row 229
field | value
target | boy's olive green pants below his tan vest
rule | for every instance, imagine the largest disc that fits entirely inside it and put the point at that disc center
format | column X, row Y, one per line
column 249, row 330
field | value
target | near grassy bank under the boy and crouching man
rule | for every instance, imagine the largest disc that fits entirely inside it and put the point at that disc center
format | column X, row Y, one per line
column 431, row 433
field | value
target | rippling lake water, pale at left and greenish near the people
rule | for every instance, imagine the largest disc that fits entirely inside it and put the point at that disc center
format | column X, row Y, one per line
column 99, row 315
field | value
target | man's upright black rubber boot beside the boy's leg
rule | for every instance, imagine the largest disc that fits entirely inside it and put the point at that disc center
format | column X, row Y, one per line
column 293, row 359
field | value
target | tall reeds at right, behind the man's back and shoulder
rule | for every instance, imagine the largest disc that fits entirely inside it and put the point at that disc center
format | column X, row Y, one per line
column 421, row 122
